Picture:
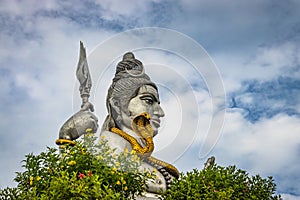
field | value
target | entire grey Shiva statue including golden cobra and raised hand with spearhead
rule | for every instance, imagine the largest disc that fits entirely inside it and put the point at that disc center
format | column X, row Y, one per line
column 132, row 121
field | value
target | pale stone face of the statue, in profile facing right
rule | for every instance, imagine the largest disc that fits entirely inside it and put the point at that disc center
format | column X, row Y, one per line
column 147, row 100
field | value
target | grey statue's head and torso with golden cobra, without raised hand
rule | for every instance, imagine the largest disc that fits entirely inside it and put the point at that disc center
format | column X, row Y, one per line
column 133, row 119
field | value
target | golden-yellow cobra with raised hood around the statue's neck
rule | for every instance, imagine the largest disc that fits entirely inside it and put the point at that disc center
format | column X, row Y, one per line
column 141, row 126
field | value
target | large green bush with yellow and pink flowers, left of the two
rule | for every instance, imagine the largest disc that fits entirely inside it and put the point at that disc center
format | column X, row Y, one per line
column 85, row 171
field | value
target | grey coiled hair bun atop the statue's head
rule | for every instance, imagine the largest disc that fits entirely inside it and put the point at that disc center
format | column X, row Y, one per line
column 130, row 65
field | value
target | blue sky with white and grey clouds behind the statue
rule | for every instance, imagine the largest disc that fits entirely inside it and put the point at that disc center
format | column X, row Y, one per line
column 228, row 74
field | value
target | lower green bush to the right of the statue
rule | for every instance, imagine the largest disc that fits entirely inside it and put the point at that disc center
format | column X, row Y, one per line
column 224, row 183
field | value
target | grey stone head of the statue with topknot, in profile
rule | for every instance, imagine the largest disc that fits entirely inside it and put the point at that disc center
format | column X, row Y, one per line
column 130, row 94
